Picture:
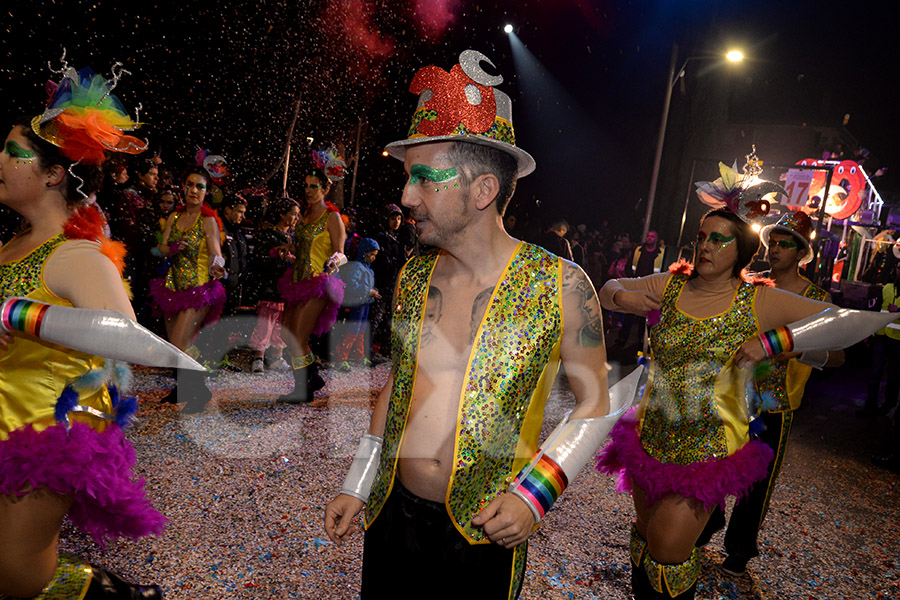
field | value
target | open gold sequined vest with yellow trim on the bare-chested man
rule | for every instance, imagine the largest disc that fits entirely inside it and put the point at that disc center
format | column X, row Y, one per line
column 511, row 369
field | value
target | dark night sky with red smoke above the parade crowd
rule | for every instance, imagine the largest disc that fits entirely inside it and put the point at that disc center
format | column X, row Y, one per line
column 225, row 75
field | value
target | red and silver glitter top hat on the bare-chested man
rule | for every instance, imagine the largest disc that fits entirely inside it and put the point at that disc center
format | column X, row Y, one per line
column 462, row 105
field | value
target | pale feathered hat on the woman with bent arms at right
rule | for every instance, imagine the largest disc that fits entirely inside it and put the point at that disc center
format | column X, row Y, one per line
column 743, row 193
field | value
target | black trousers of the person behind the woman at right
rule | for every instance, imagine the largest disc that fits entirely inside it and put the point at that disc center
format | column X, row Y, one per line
column 748, row 514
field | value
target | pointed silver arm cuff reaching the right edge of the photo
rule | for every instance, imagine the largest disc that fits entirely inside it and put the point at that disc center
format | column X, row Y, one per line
column 836, row 328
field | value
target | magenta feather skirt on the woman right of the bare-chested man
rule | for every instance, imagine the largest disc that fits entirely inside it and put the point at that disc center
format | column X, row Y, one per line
column 709, row 482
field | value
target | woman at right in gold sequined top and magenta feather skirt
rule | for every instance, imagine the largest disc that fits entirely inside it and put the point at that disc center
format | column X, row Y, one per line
column 690, row 444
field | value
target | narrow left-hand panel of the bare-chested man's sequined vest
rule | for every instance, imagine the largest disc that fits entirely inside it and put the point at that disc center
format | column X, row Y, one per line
column 406, row 326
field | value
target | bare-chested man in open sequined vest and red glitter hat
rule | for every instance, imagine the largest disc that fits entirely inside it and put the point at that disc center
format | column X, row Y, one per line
column 450, row 474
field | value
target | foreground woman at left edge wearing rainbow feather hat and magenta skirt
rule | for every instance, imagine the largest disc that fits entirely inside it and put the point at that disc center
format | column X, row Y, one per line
column 62, row 451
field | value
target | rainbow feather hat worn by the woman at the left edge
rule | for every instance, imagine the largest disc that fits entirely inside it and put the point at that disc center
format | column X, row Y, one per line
column 83, row 119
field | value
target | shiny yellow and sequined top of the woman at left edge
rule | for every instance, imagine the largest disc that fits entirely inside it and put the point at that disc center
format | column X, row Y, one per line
column 34, row 373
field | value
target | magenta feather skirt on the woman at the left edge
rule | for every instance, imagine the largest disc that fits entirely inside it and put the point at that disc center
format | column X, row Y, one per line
column 94, row 468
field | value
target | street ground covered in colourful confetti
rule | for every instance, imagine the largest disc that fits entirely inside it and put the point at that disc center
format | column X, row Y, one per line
column 244, row 485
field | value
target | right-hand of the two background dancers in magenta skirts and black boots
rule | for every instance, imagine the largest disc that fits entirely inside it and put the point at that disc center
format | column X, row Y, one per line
column 311, row 289
